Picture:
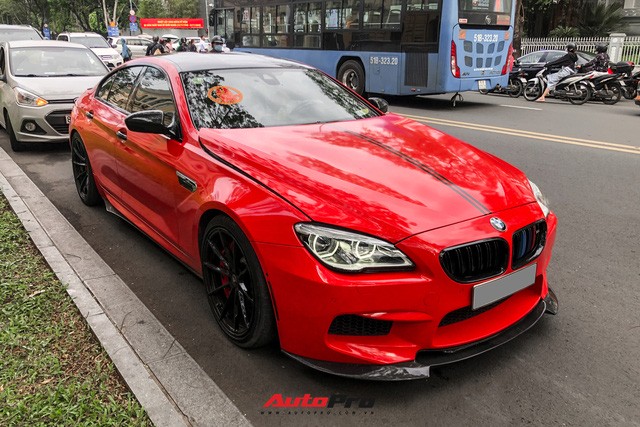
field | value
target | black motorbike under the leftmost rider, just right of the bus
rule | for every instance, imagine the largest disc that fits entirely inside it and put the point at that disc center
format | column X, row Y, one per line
column 572, row 88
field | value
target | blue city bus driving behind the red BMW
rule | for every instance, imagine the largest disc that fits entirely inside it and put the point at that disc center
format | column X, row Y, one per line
column 394, row 47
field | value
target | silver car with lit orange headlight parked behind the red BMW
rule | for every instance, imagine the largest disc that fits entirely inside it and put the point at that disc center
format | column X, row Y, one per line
column 39, row 82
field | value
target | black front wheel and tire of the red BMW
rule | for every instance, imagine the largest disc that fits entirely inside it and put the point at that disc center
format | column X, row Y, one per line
column 236, row 287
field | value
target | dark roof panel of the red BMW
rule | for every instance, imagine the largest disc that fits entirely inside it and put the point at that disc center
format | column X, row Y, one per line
column 192, row 61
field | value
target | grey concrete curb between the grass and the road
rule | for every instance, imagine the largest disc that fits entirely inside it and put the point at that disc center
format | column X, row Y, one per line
column 169, row 384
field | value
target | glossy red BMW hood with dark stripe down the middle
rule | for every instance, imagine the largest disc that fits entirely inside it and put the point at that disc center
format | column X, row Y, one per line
column 387, row 176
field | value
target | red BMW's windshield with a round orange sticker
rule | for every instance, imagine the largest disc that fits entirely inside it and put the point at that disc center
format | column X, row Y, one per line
column 249, row 98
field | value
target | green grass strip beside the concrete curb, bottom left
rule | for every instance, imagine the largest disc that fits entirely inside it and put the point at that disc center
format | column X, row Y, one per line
column 53, row 371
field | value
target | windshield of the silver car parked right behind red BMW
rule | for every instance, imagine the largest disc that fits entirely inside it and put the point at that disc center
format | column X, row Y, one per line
column 55, row 62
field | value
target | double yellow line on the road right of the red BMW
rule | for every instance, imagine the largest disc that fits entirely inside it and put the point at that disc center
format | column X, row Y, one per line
column 528, row 134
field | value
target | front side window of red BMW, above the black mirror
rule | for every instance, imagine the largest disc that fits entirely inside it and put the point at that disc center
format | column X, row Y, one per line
column 154, row 93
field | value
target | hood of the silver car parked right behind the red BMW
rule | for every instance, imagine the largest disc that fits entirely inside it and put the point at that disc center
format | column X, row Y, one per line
column 52, row 88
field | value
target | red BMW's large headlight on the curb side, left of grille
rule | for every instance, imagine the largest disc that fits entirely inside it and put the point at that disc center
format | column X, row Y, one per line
column 351, row 252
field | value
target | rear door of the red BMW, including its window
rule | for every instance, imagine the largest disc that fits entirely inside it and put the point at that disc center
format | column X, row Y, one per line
column 104, row 116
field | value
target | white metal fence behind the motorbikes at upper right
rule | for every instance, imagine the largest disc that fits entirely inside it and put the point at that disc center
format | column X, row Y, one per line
column 630, row 46
